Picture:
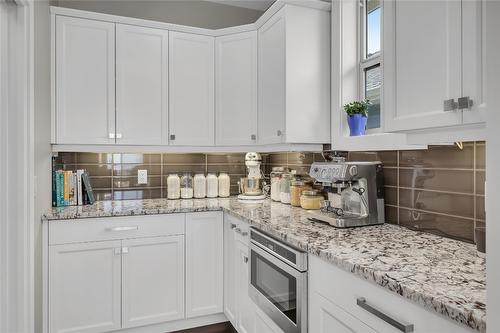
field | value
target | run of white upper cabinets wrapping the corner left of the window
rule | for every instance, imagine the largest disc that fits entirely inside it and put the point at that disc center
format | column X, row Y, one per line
column 123, row 82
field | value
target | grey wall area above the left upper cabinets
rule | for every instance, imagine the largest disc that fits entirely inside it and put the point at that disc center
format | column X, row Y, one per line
column 200, row 14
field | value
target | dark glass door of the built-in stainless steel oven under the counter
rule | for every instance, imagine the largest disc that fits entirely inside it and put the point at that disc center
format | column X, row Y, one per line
column 277, row 285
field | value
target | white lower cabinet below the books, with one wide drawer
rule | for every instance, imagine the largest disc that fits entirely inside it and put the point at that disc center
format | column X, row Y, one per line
column 108, row 274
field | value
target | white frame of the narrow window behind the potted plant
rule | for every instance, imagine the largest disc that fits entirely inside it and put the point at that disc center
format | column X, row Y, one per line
column 368, row 62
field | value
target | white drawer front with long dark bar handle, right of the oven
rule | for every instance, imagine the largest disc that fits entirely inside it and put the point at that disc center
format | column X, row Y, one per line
column 344, row 289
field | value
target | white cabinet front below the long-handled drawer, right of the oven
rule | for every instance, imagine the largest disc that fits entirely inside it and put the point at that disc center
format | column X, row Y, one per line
column 327, row 317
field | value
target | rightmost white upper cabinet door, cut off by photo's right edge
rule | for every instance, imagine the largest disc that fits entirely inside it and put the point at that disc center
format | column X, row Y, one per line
column 473, row 50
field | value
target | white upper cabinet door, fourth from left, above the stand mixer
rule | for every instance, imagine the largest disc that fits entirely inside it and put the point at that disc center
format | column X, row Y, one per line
column 236, row 89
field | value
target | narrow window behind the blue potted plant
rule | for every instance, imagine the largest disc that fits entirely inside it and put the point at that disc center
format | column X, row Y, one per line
column 371, row 72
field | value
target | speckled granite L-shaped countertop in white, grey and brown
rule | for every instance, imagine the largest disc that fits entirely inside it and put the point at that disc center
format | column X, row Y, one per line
column 440, row 274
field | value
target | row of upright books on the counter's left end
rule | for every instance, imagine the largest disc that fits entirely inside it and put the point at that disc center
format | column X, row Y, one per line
column 70, row 188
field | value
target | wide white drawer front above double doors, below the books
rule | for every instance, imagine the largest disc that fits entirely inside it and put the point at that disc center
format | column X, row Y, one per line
column 109, row 228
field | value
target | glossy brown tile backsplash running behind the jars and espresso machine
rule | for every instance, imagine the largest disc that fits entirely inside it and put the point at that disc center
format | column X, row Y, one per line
column 438, row 190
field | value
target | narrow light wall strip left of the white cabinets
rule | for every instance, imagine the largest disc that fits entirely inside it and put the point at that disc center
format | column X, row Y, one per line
column 42, row 140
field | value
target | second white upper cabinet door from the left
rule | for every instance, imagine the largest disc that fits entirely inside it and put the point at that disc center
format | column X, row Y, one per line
column 141, row 85
